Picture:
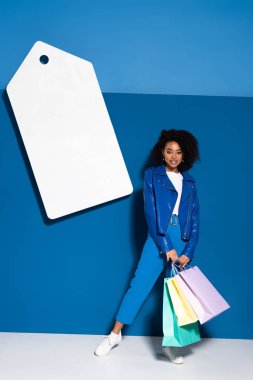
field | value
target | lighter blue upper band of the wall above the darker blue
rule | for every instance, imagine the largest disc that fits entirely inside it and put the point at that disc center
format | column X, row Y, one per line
column 184, row 47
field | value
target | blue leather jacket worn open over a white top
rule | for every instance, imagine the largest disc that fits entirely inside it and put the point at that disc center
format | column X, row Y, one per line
column 159, row 200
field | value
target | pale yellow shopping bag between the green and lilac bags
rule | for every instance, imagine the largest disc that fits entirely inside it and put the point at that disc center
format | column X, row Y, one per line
column 184, row 312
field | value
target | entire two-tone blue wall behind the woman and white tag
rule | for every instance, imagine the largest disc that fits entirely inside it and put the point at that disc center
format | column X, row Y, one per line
column 69, row 276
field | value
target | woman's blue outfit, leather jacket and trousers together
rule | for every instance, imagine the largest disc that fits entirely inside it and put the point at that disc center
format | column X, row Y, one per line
column 166, row 231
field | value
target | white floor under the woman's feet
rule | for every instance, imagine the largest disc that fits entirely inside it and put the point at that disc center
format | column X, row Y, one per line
column 59, row 356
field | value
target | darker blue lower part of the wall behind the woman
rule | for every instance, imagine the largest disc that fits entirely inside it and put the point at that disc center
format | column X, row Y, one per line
column 69, row 276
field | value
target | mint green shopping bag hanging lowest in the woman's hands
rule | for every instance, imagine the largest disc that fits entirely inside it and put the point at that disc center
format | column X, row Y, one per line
column 173, row 334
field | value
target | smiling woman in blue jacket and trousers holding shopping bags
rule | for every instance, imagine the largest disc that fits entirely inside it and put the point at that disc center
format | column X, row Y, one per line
column 172, row 213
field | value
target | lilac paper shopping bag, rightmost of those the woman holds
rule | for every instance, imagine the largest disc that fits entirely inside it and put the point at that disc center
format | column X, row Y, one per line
column 209, row 299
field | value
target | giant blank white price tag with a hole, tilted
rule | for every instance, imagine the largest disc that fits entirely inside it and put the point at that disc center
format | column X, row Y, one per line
column 67, row 132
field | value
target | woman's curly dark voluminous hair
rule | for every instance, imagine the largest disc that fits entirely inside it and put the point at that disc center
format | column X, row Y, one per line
column 187, row 142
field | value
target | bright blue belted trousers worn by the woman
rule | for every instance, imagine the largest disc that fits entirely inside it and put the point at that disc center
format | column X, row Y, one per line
column 149, row 268
